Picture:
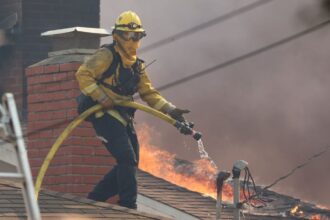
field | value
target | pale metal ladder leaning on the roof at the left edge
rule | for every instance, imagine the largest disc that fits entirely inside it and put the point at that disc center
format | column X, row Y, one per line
column 14, row 153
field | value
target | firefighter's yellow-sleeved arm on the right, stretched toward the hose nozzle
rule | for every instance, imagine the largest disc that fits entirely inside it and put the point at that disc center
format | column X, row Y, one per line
column 151, row 96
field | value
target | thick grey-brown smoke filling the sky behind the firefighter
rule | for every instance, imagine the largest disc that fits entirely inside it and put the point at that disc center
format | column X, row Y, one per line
column 270, row 110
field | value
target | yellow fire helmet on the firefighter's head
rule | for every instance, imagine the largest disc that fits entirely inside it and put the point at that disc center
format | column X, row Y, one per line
column 128, row 21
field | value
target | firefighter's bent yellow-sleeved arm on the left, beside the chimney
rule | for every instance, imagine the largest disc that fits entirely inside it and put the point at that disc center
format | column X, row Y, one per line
column 91, row 70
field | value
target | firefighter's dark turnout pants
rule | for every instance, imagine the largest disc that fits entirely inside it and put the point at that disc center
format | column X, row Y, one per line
column 122, row 143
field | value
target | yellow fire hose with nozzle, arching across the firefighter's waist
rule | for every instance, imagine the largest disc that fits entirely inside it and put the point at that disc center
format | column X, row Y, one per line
column 179, row 125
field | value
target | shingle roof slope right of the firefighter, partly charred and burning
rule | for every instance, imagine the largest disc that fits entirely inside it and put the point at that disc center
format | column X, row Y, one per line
column 202, row 207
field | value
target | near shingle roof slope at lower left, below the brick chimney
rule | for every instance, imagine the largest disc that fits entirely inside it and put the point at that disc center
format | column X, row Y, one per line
column 55, row 205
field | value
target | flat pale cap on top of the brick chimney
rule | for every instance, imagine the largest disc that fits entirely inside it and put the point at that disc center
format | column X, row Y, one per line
column 69, row 32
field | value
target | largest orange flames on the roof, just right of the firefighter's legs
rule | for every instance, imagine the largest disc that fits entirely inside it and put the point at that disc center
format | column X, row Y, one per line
column 198, row 176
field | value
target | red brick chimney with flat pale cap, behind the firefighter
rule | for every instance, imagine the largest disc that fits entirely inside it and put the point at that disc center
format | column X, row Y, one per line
column 52, row 89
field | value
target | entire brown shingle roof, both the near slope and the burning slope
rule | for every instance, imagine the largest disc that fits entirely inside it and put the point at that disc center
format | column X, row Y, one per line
column 56, row 205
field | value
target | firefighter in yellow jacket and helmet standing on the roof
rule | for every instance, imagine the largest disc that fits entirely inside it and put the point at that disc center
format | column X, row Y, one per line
column 125, row 75
